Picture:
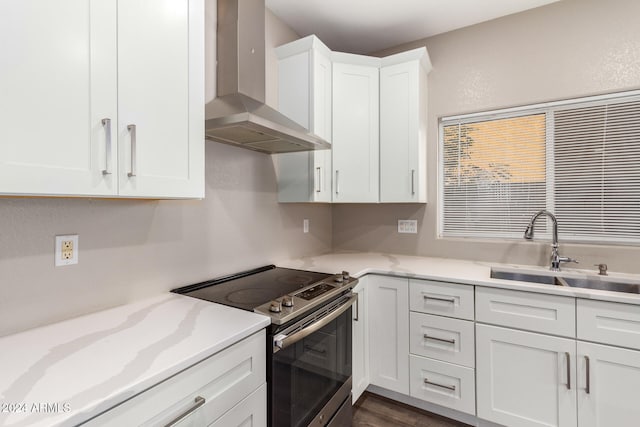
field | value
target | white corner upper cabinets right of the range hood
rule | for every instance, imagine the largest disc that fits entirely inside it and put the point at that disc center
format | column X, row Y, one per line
column 372, row 110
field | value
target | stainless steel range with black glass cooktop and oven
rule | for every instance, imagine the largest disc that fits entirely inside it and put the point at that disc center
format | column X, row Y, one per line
column 308, row 342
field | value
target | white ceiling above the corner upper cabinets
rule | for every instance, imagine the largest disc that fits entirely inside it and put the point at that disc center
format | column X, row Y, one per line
column 365, row 26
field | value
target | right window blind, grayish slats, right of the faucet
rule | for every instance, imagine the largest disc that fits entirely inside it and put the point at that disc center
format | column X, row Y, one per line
column 597, row 172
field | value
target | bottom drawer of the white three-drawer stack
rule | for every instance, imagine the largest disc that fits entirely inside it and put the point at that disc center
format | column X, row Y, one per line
column 442, row 383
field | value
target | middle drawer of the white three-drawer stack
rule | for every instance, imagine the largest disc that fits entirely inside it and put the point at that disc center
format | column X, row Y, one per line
column 442, row 338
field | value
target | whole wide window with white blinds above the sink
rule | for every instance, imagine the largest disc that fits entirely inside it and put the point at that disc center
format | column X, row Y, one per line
column 579, row 159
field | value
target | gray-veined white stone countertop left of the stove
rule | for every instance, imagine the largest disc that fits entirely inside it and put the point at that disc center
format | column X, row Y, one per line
column 65, row 373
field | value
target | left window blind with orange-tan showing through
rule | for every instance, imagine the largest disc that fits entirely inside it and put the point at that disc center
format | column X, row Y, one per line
column 494, row 175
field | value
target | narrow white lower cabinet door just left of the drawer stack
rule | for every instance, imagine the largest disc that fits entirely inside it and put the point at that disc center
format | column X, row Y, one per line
column 388, row 310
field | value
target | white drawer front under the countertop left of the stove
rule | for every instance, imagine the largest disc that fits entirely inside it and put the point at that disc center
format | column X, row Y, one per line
column 223, row 380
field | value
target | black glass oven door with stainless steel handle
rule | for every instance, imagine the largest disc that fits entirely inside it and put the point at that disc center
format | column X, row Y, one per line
column 311, row 367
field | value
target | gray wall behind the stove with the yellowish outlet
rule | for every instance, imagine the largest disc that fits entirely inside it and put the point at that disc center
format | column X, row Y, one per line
column 129, row 249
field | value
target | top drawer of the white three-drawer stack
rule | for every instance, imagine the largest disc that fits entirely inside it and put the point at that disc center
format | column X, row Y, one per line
column 445, row 299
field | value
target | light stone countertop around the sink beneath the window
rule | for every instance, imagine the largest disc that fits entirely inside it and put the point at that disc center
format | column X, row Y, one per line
column 359, row 264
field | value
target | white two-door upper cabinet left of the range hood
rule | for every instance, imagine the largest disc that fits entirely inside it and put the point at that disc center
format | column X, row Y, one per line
column 80, row 78
